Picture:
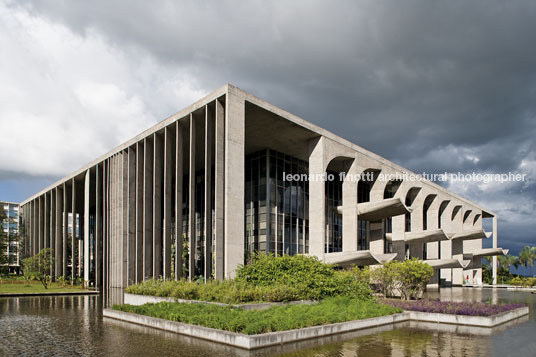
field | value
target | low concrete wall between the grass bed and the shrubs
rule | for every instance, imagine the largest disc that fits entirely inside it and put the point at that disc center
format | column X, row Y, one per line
column 134, row 299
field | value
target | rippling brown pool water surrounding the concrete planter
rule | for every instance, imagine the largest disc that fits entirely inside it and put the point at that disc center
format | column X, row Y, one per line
column 73, row 325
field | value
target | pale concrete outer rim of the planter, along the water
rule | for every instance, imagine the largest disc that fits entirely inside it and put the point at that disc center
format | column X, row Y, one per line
column 250, row 342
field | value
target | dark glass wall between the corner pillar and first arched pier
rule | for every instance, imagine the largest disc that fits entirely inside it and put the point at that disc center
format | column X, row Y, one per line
column 277, row 210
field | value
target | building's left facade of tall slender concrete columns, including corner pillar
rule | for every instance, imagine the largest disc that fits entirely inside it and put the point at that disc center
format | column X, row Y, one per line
column 128, row 209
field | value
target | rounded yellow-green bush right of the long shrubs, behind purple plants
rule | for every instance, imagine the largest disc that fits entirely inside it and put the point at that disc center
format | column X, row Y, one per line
column 412, row 277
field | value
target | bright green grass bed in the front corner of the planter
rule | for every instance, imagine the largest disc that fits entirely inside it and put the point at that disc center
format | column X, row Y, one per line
column 277, row 318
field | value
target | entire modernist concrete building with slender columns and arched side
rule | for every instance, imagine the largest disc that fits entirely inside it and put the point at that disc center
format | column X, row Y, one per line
column 213, row 176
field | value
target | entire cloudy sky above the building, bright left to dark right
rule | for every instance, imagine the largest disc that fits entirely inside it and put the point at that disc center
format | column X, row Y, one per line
column 434, row 86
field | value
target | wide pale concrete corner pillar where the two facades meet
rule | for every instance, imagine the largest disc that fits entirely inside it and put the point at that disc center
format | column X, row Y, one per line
column 234, row 181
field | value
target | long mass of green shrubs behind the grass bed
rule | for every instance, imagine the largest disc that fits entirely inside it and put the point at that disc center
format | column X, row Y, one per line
column 268, row 278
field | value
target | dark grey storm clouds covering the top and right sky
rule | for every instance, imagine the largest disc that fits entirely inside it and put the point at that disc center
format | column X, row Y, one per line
column 434, row 86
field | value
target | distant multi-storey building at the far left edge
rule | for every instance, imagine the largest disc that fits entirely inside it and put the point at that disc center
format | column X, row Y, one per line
column 10, row 226
